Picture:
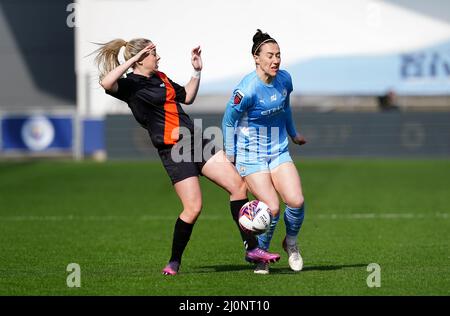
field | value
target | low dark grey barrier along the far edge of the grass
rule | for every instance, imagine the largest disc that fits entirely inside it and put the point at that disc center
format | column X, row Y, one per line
column 388, row 134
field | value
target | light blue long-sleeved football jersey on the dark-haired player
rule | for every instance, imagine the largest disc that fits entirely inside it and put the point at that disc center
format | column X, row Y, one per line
column 258, row 119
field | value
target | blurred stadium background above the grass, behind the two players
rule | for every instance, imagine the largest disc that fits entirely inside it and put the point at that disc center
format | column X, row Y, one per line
column 343, row 57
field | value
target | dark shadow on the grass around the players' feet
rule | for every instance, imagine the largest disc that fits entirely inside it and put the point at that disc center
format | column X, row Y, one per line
column 274, row 268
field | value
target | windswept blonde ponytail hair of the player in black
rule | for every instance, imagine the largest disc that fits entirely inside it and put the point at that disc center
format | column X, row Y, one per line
column 107, row 55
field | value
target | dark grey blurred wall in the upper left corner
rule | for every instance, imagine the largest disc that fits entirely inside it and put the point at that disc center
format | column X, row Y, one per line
column 36, row 54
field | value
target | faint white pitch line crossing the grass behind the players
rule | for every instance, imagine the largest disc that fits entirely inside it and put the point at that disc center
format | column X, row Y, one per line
column 338, row 216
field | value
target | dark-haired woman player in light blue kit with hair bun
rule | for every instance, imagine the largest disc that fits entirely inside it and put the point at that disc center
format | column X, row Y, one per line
column 256, row 126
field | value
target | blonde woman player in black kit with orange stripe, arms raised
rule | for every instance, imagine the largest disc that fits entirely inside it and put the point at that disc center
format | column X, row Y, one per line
column 155, row 100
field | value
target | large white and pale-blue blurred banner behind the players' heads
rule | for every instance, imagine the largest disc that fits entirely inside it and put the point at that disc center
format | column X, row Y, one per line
column 319, row 40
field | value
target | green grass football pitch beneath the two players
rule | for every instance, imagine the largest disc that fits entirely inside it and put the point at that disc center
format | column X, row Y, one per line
column 116, row 220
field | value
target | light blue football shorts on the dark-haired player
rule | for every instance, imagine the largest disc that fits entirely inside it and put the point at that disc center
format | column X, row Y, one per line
column 246, row 166
